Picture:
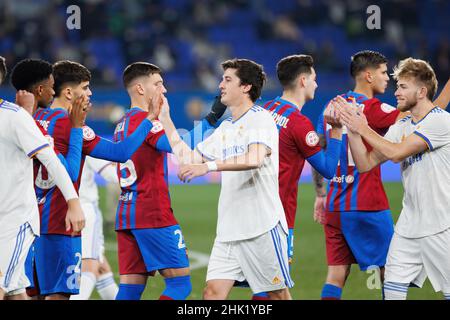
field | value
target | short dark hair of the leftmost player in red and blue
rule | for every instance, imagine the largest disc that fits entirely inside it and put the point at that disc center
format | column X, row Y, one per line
column 69, row 72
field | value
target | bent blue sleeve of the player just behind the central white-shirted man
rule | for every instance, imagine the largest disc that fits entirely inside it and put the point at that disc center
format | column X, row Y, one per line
column 326, row 162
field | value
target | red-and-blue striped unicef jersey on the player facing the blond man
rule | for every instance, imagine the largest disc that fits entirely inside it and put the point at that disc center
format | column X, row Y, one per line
column 350, row 190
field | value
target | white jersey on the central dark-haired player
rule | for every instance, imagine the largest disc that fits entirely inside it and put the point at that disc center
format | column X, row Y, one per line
column 249, row 203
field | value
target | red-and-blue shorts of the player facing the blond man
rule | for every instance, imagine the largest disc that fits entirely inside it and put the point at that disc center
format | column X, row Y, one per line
column 361, row 237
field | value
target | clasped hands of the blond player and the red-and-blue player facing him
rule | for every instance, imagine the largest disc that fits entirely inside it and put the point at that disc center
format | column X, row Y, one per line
column 340, row 112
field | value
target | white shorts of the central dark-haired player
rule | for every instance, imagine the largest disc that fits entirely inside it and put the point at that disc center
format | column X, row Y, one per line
column 262, row 261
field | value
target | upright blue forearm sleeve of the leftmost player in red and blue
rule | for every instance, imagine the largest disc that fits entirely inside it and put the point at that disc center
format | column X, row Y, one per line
column 72, row 161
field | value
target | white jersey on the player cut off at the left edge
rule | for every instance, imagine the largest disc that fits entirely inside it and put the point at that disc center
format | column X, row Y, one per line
column 20, row 140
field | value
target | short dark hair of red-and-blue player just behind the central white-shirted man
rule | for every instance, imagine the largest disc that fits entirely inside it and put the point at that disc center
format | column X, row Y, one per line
column 290, row 67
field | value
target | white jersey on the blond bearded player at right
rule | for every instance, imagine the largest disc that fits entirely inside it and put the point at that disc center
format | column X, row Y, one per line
column 425, row 176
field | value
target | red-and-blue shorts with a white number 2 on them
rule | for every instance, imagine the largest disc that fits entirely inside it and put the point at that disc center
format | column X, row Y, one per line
column 143, row 251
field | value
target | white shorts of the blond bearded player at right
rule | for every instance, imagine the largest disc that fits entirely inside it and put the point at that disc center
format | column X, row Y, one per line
column 413, row 260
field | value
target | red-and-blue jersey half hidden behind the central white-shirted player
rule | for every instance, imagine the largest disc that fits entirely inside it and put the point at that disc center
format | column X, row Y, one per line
column 297, row 141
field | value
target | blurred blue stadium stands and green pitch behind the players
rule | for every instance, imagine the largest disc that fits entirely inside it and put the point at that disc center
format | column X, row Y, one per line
column 188, row 39
